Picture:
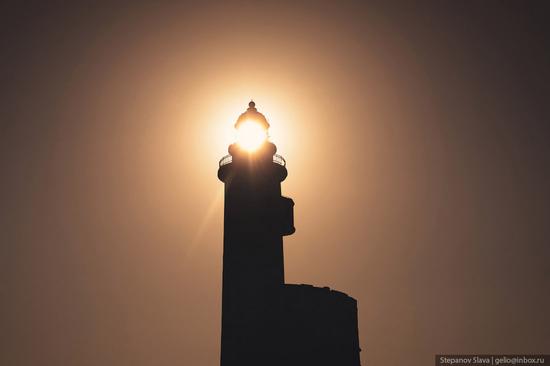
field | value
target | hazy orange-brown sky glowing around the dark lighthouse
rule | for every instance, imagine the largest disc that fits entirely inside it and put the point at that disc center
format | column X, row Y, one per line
column 417, row 141
